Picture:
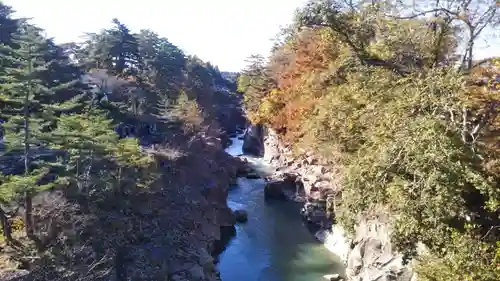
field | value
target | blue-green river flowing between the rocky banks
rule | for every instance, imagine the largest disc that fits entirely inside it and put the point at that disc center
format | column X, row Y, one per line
column 274, row 245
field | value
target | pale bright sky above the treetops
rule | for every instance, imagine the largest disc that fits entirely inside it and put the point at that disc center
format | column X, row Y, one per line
column 224, row 32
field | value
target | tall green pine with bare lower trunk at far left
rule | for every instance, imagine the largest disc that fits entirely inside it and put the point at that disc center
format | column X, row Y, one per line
column 29, row 94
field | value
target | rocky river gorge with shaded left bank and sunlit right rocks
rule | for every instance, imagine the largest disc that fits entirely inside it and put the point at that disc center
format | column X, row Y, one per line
column 187, row 223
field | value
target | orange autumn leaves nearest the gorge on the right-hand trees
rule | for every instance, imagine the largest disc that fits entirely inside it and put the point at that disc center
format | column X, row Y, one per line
column 295, row 68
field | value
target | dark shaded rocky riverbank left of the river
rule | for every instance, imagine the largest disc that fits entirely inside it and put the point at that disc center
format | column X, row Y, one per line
column 170, row 231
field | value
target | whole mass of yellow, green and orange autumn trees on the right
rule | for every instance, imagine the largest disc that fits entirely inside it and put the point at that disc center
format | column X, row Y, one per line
column 410, row 132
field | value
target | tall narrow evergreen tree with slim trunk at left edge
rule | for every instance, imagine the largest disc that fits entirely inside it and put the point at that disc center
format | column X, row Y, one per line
column 23, row 90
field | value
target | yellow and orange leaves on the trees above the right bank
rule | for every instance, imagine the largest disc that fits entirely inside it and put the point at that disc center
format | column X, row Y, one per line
column 370, row 110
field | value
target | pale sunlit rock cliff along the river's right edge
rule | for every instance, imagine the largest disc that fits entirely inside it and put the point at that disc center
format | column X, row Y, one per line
column 368, row 254
